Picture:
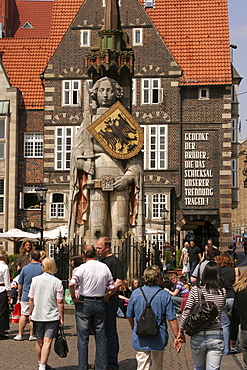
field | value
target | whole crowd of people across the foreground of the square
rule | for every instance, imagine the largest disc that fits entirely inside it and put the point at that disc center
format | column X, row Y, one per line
column 101, row 294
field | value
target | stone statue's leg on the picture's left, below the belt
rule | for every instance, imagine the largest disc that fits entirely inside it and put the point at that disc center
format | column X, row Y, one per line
column 98, row 213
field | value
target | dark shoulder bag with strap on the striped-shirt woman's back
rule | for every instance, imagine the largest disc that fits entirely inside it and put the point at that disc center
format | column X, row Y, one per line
column 202, row 314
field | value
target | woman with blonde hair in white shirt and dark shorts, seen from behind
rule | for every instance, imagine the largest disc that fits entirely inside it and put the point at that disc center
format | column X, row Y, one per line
column 46, row 309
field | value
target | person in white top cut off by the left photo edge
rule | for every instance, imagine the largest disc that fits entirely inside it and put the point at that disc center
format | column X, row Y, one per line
column 4, row 292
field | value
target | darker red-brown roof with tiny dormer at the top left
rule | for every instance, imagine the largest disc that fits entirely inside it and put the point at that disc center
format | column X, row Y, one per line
column 37, row 14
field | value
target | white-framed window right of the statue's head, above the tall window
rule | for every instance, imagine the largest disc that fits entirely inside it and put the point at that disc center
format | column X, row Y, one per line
column 149, row 87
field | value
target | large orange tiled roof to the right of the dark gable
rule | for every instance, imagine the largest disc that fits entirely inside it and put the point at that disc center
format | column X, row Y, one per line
column 197, row 34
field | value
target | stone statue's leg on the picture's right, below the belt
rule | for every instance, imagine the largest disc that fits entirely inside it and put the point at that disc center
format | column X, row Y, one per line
column 119, row 213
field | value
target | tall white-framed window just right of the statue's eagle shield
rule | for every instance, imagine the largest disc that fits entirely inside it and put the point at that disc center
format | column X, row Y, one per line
column 157, row 149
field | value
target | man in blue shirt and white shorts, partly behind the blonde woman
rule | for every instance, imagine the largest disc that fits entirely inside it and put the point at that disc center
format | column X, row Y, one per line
column 27, row 273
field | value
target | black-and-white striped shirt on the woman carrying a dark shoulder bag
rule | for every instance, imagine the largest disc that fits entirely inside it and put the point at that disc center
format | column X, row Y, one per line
column 218, row 299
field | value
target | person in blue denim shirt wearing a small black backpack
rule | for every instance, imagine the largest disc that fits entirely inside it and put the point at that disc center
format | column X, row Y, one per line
column 149, row 336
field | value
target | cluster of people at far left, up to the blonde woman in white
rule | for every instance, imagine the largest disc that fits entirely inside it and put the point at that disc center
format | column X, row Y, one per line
column 40, row 295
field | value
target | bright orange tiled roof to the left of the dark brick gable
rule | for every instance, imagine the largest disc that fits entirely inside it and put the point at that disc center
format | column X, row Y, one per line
column 25, row 59
